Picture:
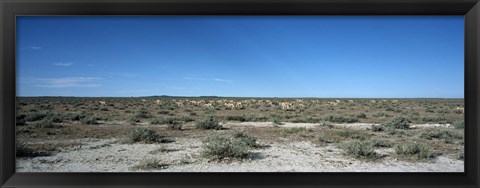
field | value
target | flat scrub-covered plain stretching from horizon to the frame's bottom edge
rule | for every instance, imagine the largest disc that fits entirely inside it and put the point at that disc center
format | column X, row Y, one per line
column 221, row 134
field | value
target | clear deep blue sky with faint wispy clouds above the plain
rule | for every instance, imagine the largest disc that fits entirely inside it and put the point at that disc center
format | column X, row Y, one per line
column 242, row 56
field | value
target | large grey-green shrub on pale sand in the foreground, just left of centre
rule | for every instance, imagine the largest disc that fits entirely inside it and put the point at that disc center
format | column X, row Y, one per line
column 221, row 147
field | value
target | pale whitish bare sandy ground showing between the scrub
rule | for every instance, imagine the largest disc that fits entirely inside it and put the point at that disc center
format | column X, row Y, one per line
column 183, row 155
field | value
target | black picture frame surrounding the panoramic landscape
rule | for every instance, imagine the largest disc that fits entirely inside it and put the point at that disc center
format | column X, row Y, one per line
column 11, row 8
